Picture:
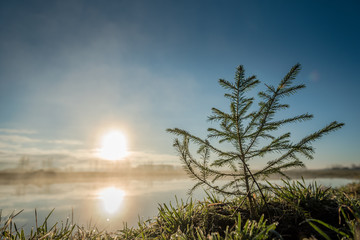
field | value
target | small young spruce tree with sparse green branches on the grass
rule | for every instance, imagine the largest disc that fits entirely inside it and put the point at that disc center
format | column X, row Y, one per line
column 253, row 134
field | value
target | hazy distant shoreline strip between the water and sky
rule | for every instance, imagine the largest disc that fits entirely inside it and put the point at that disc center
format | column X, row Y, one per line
column 51, row 176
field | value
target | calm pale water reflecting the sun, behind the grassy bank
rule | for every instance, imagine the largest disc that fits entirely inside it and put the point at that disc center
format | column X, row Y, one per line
column 106, row 205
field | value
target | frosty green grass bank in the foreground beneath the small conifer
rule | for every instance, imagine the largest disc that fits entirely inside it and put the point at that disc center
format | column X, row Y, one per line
column 293, row 211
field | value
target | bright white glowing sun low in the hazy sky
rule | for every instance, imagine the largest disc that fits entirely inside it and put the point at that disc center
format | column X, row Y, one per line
column 113, row 146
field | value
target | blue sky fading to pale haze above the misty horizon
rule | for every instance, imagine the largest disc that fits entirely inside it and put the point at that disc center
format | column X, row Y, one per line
column 70, row 71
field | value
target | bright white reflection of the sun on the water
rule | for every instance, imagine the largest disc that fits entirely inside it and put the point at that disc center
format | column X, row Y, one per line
column 112, row 199
